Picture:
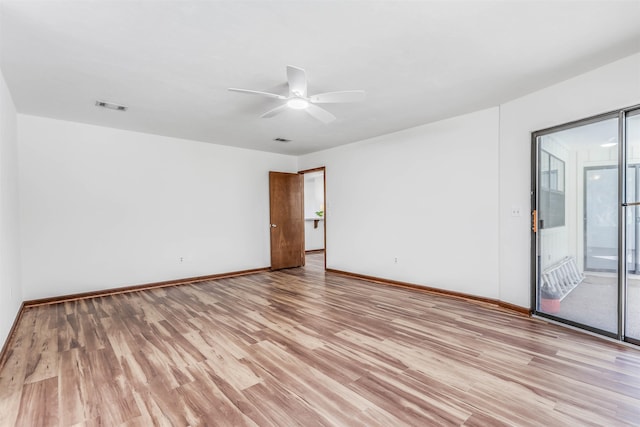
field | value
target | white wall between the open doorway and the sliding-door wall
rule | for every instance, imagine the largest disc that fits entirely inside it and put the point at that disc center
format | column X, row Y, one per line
column 427, row 196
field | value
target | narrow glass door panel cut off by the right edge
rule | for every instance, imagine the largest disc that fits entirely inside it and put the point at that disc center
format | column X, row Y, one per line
column 632, row 303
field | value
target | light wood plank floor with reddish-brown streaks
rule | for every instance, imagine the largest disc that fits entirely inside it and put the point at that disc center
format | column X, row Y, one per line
column 299, row 347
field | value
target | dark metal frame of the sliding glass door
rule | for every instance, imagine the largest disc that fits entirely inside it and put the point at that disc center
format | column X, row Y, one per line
column 621, row 115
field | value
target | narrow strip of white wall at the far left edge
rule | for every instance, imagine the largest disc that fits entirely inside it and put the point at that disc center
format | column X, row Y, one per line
column 10, row 286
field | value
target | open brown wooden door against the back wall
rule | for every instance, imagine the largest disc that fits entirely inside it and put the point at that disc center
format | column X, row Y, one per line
column 286, row 200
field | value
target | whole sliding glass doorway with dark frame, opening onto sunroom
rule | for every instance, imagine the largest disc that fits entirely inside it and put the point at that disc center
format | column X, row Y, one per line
column 586, row 198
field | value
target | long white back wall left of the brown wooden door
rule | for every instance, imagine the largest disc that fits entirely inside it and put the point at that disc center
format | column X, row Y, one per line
column 104, row 208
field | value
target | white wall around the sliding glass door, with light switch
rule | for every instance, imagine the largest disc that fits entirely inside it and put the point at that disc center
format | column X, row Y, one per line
column 611, row 87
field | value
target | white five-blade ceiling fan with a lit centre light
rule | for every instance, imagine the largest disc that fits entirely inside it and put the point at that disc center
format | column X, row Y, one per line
column 298, row 98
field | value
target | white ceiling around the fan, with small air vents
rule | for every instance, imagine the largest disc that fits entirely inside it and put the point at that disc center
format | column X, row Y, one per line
column 171, row 62
